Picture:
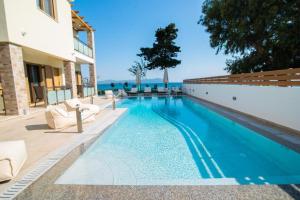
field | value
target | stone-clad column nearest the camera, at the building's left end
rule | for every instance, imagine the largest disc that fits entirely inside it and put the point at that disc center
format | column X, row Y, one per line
column 13, row 79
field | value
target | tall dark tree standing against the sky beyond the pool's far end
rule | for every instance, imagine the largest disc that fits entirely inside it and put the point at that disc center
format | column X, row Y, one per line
column 163, row 53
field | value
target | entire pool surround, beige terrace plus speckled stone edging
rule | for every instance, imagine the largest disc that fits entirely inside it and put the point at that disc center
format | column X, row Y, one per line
column 44, row 187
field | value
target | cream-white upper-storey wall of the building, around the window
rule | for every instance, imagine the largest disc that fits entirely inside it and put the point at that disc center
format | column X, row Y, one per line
column 43, row 33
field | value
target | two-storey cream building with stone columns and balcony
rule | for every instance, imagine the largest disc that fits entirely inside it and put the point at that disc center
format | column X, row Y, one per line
column 43, row 46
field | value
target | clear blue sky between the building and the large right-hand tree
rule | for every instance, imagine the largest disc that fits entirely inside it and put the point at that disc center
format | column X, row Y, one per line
column 123, row 26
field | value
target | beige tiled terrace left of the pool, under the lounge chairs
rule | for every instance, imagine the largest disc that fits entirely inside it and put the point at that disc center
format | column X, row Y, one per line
column 39, row 139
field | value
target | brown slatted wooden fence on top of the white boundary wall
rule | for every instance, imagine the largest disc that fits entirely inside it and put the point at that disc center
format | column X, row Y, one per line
column 286, row 77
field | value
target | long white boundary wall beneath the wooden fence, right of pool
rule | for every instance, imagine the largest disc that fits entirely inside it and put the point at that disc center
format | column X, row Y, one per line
column 280, row 105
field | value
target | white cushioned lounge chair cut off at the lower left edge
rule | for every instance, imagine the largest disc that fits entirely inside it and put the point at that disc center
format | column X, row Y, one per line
column 13, row 155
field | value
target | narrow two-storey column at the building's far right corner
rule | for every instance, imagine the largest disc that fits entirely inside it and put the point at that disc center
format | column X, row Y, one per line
column 92, row 67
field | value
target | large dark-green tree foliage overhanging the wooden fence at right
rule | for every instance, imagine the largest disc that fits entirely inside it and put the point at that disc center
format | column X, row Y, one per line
column 260, row 35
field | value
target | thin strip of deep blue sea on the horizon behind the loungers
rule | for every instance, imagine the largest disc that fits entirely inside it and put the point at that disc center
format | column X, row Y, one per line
column 130, row 85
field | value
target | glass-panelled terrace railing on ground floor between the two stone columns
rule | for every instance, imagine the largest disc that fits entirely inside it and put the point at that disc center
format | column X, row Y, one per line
column 58, row 95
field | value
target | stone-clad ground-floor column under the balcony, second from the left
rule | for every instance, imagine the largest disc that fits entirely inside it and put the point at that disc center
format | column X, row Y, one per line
column 70, row 77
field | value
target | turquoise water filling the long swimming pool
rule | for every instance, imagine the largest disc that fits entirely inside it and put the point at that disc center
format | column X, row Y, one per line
column 176, row 141
